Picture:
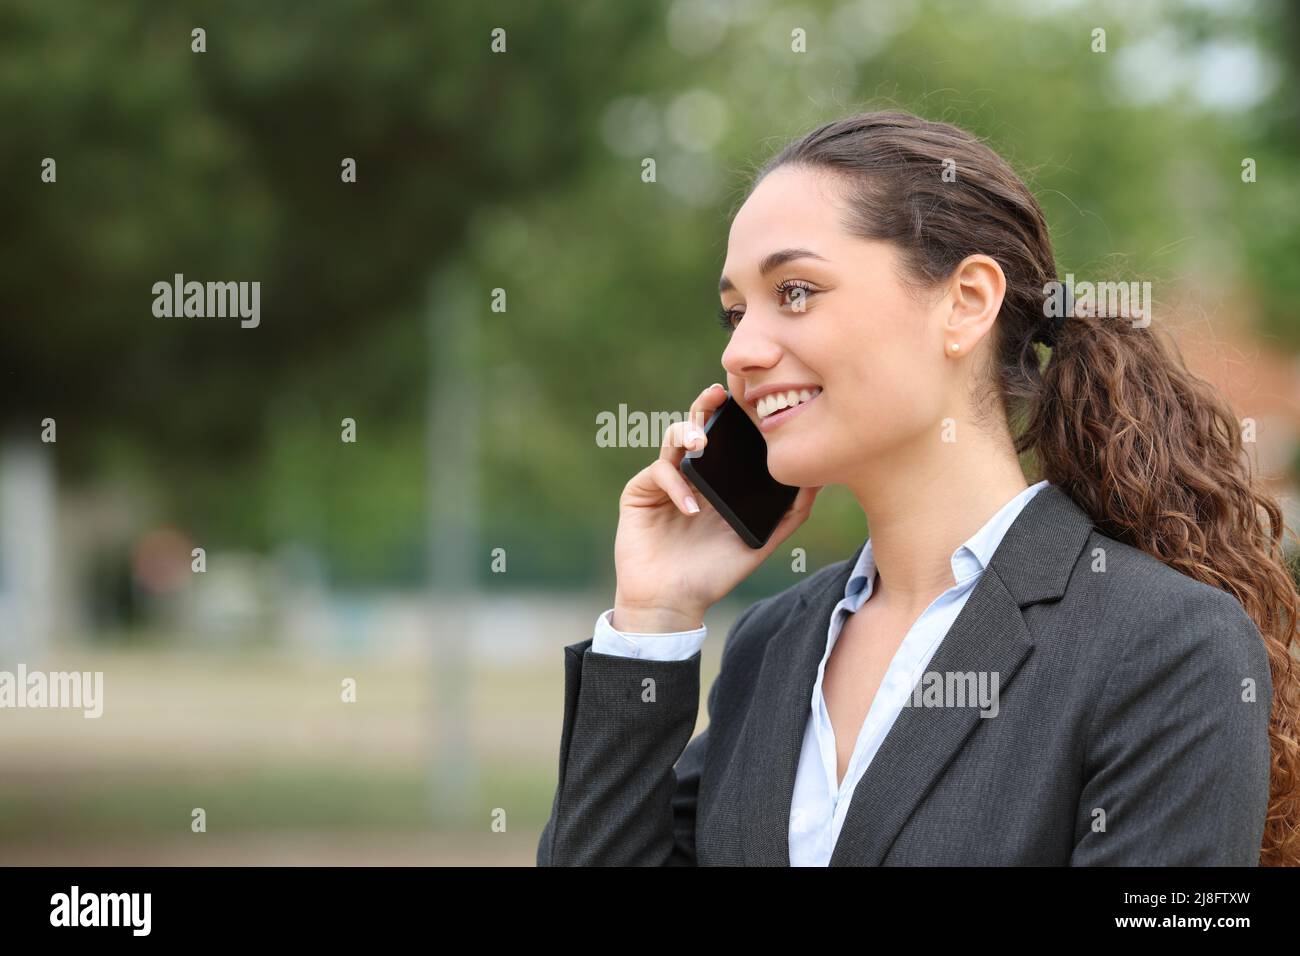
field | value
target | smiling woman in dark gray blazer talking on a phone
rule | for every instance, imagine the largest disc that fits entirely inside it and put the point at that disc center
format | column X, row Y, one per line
column 1123, row 629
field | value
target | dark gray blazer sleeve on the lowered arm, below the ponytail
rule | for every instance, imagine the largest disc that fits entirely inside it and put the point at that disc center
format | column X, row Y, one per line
column 1177, row 758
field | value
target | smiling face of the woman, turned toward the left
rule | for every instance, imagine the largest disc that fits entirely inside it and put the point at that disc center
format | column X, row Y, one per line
column 842, row 323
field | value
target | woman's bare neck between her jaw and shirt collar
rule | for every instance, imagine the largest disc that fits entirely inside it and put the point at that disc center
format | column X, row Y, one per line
column 924, row 504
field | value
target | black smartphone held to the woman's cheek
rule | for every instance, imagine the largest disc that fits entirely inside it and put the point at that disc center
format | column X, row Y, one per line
column 731, row 473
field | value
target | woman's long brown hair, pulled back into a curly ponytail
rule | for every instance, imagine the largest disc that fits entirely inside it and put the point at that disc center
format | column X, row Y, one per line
column 1150, row 451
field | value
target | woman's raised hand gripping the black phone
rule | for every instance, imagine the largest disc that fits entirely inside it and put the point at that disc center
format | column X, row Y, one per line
column 674, row 565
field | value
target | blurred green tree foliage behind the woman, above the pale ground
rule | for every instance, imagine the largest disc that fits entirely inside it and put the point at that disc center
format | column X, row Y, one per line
column 523, row 172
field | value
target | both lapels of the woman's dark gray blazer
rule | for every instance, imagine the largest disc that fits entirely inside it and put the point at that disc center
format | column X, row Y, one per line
column 1032, row 564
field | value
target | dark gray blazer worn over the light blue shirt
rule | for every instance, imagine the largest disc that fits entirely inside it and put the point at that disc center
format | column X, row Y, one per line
column 1126, row 732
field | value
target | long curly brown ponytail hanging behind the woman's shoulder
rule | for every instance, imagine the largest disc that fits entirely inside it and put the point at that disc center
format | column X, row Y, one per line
column 1155, row 456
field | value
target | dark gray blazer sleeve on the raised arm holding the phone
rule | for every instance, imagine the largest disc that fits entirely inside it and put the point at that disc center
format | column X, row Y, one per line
column 629, row 778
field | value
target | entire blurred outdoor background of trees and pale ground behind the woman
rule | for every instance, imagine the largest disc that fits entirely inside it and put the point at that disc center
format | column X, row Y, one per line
column 497, row 278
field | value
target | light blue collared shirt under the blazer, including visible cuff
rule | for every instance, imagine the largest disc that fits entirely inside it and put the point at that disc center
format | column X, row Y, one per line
column 820, row 806
